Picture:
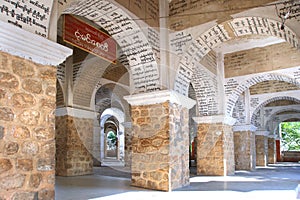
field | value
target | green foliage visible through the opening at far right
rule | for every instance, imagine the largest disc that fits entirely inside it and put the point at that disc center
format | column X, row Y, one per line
column 291, row 135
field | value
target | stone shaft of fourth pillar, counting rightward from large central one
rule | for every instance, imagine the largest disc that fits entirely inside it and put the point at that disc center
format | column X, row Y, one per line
column 261, row 143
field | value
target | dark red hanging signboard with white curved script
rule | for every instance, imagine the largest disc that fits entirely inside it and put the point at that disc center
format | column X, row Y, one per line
column 88, row 38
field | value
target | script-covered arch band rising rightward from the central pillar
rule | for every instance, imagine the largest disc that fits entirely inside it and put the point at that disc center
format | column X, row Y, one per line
column 219, row 34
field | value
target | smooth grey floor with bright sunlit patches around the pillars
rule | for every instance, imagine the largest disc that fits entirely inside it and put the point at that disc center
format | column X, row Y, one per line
column 277, row 181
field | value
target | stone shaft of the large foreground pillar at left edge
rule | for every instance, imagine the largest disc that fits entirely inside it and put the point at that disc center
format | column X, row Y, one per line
column 27, row 145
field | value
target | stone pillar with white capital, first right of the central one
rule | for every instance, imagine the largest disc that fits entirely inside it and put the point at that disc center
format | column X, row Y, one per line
column 215, row 147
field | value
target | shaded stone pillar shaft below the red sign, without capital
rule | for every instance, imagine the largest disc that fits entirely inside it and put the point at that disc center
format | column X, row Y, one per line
column 74, row 139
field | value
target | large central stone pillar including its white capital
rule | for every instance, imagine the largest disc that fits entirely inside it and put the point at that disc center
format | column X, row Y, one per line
column 160, row 140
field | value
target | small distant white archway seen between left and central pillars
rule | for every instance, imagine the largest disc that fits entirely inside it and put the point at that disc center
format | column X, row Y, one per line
column 120, row 116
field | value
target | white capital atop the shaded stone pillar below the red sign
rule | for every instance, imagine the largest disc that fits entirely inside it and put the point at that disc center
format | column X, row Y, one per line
column 75, row 112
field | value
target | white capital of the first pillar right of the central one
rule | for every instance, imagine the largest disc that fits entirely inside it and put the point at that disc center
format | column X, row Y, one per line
column 215, row 119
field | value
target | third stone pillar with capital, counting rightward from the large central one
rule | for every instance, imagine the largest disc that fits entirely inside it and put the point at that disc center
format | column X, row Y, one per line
column 244, row 147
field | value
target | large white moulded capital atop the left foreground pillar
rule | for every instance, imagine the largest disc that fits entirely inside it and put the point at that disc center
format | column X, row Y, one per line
column 19, row 42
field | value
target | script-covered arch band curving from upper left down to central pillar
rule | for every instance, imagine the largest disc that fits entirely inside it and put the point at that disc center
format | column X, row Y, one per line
column 117, row 21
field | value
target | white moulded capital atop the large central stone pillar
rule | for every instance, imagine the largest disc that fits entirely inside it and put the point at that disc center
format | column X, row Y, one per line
column 160, row 97
